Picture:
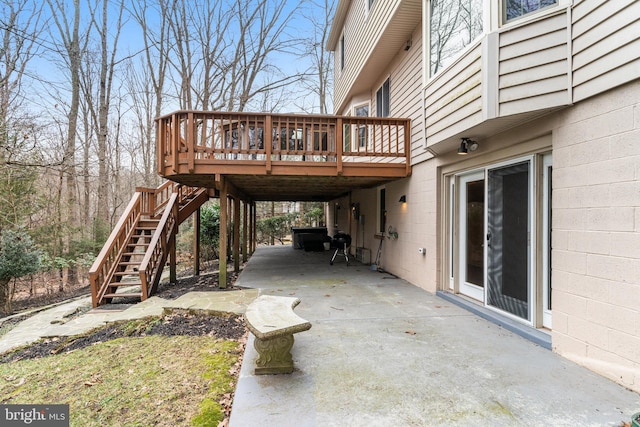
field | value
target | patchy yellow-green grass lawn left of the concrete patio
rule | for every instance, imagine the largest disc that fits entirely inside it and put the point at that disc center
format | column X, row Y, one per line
column 134, row 381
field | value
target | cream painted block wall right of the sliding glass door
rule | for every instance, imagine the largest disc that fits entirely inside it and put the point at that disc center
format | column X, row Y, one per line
column 596, row 234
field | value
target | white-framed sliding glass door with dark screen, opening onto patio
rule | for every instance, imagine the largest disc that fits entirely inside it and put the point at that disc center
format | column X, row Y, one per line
column 494, row 221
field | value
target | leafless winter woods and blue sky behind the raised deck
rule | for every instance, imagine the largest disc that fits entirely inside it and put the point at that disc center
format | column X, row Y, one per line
column 81, row 82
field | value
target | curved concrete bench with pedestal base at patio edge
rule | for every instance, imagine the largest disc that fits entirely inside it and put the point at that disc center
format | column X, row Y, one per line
column 272, row 320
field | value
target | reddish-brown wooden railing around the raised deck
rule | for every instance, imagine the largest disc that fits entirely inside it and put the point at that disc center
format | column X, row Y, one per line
column 189, row 138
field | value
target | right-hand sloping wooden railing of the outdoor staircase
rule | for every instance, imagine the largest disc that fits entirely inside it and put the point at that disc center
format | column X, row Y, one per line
column 156, row 255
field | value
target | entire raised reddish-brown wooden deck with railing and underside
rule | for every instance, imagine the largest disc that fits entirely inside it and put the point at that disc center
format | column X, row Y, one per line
column 282, row 157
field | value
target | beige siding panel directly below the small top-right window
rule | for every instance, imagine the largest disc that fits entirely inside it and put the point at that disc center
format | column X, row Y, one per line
column 533, row 66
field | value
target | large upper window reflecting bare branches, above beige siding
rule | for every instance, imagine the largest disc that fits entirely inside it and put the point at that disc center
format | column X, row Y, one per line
column 453, row 25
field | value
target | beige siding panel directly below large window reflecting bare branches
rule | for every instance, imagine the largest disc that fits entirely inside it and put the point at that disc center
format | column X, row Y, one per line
column 454, row 98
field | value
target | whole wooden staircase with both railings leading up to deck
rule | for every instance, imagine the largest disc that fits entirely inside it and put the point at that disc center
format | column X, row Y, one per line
column 131, row 262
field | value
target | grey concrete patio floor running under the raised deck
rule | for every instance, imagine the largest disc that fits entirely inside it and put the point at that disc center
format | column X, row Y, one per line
column 382, row 352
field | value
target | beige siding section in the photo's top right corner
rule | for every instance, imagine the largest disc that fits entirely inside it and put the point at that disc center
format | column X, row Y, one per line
column 606, row 42
